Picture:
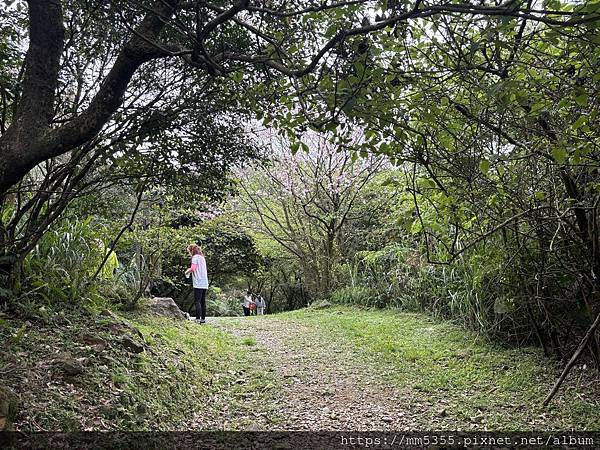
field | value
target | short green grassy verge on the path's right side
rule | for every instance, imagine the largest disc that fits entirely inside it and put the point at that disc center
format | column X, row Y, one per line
column 456, row 380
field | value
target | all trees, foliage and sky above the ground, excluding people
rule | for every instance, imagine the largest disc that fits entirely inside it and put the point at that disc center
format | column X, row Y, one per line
column 429, row 156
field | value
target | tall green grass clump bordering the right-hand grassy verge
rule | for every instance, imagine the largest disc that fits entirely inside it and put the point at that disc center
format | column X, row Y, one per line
column 468, row 291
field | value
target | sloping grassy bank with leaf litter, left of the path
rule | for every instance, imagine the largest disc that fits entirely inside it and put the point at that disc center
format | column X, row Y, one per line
column 82, row 372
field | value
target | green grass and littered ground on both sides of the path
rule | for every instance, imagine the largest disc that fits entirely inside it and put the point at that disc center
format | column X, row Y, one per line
column 449, row 377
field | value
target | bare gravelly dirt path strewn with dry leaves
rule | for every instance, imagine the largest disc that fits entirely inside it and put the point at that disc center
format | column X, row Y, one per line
column 324, row 386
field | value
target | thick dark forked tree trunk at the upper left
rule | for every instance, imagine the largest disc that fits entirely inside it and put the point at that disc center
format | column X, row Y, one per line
column 29, row 140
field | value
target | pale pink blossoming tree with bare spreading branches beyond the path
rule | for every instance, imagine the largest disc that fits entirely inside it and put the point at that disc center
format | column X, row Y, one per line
column 305, row 201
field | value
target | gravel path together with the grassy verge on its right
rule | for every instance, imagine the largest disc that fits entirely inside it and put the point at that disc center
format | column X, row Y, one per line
column 351, row 369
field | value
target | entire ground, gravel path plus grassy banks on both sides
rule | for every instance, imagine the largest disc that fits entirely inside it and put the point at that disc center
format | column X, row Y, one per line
column 339, row 368
